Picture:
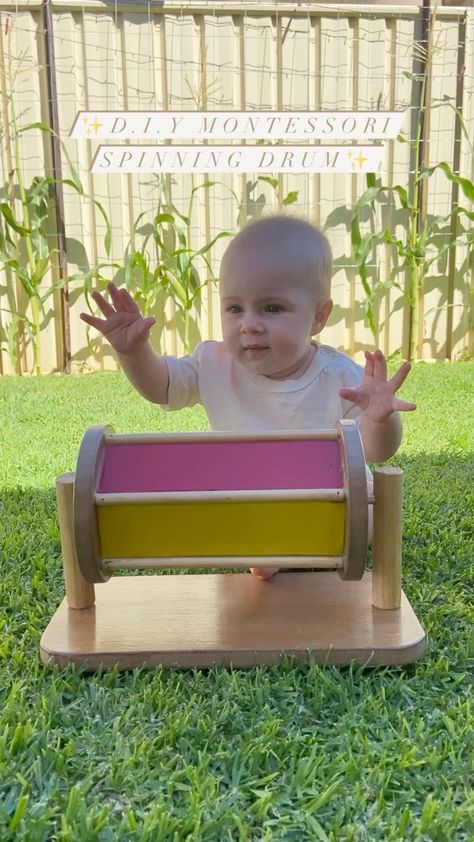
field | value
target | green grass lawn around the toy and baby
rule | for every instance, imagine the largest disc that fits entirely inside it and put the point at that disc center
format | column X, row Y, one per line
column 292, row 752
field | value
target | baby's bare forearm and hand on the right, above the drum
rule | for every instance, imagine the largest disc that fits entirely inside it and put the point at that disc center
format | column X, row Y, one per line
column 380, row 423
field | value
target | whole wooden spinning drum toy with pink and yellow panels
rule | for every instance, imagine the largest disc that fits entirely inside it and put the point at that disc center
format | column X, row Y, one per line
column 288, row 500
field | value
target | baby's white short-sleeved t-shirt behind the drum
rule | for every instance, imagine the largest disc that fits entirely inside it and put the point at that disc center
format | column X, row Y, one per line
column 237, row 400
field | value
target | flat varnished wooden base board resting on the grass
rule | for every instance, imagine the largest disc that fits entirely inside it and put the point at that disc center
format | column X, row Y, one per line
column 231, row 619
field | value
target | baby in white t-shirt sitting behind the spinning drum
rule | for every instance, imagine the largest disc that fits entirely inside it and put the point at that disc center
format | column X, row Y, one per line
column 267, row 373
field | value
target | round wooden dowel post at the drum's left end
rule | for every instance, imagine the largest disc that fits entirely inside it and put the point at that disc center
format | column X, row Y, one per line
column 79, row 593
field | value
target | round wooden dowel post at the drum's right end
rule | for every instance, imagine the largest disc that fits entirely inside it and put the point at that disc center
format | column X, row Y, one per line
column 387, row 540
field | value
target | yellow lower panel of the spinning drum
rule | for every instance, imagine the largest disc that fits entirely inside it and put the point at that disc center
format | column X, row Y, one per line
column 213, row 529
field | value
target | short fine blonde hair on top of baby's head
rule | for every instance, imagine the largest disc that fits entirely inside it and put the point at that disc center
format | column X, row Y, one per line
column 299, row 240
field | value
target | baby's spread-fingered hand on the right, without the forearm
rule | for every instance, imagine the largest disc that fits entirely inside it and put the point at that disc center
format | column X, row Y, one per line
column 376, row 396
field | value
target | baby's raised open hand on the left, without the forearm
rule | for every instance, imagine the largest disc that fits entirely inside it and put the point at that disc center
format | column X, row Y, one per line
column 123, row 326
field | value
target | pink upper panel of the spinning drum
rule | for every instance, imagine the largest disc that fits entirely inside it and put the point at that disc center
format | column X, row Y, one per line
column 211, row 466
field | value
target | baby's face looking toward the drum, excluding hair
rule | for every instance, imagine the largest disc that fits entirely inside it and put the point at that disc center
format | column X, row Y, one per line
column 268, row 314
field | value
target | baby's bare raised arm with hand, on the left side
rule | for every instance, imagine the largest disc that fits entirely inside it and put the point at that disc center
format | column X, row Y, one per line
column 127, row 331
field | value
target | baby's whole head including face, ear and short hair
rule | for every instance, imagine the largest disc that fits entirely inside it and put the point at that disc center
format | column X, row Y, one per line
column 275, row 285
